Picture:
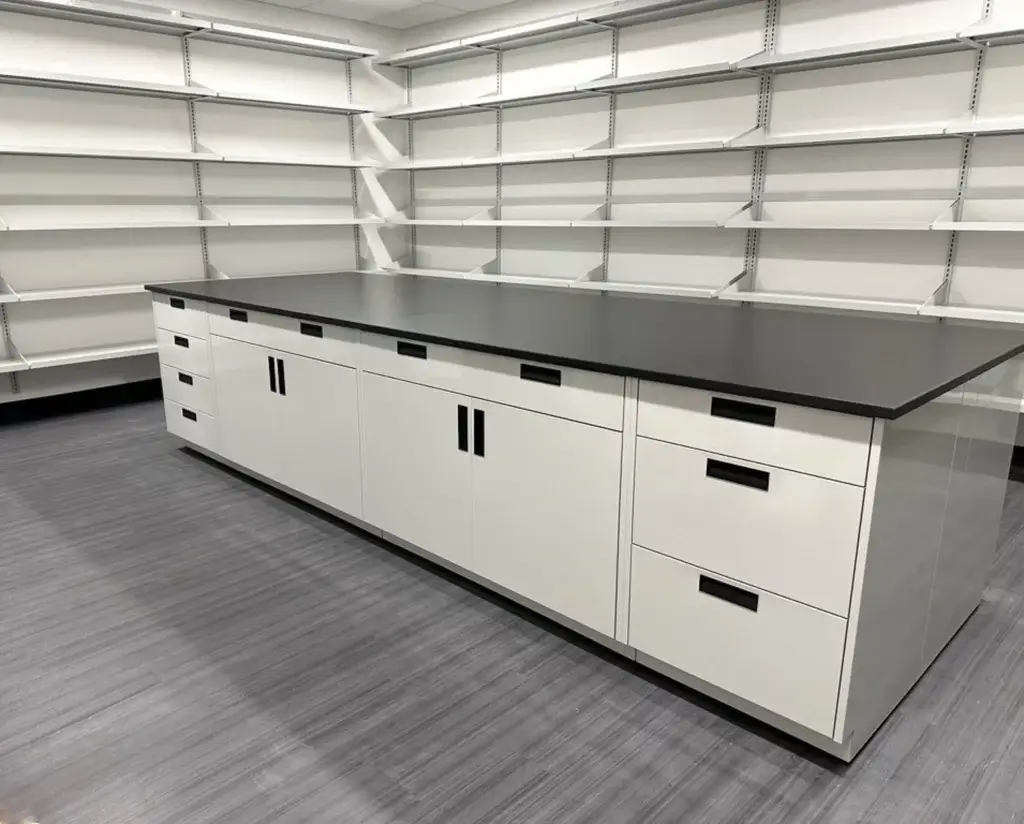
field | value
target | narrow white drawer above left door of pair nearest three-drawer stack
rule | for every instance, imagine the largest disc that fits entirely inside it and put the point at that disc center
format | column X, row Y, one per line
column 428, row 364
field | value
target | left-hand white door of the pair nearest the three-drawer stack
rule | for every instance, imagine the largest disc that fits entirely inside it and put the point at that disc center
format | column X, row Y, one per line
column 417, row 484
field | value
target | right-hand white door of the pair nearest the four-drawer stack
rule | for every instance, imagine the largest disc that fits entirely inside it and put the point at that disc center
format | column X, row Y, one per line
column 320, row 432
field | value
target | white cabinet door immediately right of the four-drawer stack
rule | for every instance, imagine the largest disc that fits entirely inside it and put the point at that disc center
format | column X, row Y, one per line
column 247, row 409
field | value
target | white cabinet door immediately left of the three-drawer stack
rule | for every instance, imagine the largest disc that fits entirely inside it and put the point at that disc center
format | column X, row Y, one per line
column 546, row 511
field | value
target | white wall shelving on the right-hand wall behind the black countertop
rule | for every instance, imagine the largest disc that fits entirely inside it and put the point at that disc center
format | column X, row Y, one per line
column 809, row 153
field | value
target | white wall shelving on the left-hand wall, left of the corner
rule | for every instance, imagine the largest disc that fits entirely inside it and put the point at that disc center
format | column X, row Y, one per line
column 140, row 145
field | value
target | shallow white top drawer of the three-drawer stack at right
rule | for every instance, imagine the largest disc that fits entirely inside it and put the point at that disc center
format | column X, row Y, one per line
column 830, row 445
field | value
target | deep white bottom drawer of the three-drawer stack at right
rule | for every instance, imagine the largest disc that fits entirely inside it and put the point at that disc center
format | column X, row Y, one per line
column 776, row 654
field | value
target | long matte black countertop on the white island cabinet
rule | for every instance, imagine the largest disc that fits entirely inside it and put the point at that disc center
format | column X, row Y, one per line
column 862, row 365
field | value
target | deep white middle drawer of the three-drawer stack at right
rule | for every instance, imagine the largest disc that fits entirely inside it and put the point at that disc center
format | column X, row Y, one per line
column 788, row 533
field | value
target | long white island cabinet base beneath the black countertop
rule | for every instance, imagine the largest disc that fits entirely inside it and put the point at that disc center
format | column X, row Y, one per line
column 801, row 565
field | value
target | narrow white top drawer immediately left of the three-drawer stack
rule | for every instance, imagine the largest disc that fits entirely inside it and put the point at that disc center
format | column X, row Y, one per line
column 576, row 395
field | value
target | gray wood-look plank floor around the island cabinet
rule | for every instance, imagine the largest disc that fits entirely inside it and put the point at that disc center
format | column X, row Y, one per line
column 181, row 645
